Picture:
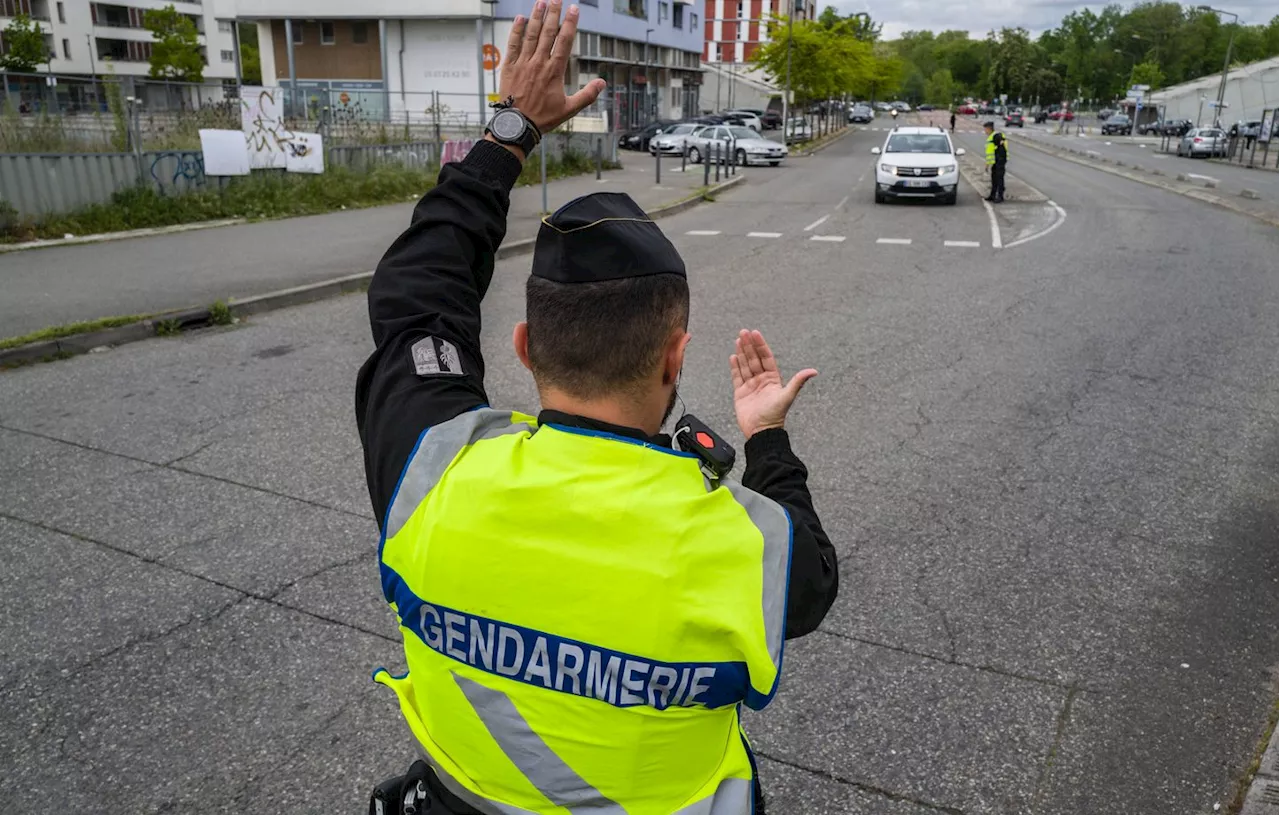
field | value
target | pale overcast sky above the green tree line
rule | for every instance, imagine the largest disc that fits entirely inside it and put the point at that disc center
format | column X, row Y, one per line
column 980, row 16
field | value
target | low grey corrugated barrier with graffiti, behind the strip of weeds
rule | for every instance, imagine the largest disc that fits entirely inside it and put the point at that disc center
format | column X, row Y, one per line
column 39, row 185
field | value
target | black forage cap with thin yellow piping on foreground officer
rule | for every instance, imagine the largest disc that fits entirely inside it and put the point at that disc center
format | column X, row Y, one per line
column 602, row 237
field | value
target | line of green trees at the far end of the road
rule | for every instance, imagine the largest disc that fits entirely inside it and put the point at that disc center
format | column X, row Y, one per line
column 1092, row 56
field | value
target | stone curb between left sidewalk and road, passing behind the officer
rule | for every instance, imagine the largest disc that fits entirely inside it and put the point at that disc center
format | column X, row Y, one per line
column 284, row 299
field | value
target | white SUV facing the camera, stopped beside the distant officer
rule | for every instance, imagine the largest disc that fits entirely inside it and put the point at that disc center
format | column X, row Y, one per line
column 917, row 163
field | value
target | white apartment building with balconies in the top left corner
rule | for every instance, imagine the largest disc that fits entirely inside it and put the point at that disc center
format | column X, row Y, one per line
column 84, row 36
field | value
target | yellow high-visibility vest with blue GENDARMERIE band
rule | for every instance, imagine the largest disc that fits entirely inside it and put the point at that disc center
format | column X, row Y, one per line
column 583, row 615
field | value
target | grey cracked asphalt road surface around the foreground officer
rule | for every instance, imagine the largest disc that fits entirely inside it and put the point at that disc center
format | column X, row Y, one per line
column 1050, row 471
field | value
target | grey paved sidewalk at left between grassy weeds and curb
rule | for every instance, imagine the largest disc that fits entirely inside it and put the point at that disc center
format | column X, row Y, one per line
column 144, row 276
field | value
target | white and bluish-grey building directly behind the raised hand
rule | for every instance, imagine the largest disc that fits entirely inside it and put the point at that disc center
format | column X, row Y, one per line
column 408, row 54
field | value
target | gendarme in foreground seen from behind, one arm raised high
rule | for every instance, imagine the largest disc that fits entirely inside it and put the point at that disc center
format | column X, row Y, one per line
column 584, row 608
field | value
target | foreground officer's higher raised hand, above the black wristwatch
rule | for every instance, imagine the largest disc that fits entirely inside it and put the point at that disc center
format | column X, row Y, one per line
column 533, row 75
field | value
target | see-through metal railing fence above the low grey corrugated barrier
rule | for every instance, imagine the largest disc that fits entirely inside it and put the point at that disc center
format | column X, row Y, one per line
column 49, row 113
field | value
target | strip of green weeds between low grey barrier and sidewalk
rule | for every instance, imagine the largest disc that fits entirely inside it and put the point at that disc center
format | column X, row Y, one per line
column 264, row 195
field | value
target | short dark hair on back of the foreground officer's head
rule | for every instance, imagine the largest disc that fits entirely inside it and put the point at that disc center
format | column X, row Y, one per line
column 592, row 340
